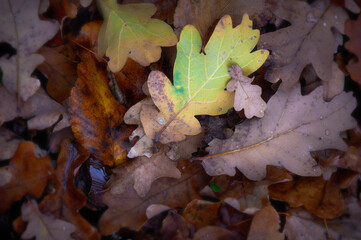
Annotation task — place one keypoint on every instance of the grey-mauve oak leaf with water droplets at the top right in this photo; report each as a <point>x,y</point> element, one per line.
<point>309,39</point>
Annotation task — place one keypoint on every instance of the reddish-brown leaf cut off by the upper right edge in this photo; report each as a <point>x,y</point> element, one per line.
<point>353,30</point>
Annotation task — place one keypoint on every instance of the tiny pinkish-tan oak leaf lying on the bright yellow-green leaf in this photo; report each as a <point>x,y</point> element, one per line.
<point>247,96</point>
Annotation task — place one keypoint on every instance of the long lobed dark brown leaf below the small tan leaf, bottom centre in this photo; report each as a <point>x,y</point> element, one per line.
<point>128,209</point>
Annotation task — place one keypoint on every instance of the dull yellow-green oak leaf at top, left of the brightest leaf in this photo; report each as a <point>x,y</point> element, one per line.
<point>129,31</point>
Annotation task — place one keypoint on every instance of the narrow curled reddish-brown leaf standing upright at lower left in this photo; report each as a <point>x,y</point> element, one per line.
<point>66,200</point>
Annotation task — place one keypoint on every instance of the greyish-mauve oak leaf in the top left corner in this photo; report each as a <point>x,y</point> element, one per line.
<point>25,32</point>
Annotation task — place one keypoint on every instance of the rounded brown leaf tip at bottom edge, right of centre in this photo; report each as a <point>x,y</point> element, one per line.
<point>265,223</point>
